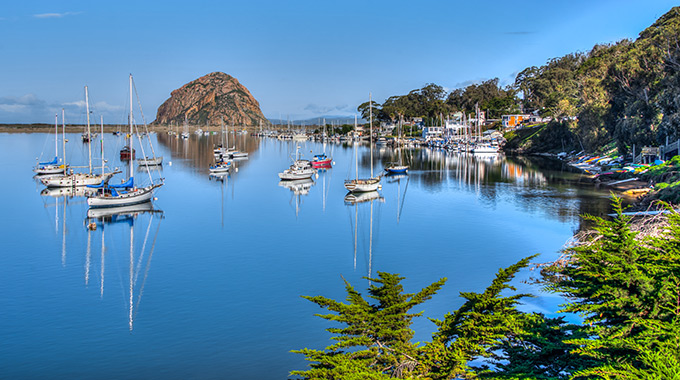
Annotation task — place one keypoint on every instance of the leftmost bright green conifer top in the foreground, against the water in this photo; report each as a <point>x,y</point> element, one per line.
<point>378,335</point>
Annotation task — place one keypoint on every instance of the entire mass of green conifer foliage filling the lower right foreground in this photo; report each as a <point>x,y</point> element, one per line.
<point>626,288</point>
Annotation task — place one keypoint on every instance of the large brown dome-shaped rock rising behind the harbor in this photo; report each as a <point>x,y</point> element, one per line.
<point>209,100</point>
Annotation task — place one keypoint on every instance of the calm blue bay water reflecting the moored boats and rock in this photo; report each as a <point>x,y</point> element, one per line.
<point>209,284</point>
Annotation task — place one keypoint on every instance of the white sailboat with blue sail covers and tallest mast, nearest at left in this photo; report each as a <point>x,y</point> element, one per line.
<point>126,193</point>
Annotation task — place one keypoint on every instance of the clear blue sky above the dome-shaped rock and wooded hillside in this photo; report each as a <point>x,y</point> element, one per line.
<point>299,59</point>
